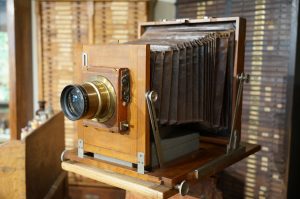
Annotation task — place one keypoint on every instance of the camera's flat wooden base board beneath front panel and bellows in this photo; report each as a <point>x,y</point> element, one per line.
<point>208,160</point>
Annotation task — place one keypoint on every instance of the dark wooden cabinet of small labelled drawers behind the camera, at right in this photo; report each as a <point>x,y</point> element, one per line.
<point>267,53</point>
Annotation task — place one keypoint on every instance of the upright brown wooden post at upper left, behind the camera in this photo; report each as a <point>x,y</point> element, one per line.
<point>20,62</point>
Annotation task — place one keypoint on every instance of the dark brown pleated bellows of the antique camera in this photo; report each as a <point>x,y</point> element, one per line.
<point>190,71</point>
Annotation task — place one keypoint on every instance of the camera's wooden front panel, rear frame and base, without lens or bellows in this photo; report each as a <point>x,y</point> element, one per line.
<point>129,145</point>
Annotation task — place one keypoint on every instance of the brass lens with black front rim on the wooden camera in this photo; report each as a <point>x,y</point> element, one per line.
<point>94,99</point>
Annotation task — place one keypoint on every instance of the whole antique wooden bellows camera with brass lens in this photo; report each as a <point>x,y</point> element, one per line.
<point>180,78</point>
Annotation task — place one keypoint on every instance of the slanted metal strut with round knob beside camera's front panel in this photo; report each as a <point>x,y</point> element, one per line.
<point>151,97</point>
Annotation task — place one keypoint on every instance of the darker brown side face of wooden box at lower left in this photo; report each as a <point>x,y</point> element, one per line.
<point>43,150</point>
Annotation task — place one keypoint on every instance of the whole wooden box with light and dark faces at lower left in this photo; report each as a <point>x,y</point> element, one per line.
<point>30,167</point>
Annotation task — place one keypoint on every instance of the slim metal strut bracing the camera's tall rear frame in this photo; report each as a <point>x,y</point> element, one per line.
<point>234,140</point>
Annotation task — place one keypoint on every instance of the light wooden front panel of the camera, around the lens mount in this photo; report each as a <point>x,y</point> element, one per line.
<point>104,141</point>
